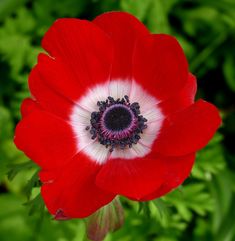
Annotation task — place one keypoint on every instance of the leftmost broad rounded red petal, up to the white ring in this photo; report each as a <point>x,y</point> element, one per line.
<point>45,139</point>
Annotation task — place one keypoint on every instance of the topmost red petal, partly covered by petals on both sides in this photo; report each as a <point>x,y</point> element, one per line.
<point>124,29</point>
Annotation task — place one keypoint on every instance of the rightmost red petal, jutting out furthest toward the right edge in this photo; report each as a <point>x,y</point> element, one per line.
<point>189,130</point>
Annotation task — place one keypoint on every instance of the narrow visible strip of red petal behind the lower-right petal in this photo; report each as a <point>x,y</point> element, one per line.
<point>178,170</point>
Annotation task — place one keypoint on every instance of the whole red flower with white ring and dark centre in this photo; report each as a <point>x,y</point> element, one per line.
<point>112,112</point>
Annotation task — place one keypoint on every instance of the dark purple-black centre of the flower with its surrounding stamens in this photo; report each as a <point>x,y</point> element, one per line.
<point>117,124</point>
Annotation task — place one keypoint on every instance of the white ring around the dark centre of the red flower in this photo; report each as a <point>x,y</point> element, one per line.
<point>81,114</point>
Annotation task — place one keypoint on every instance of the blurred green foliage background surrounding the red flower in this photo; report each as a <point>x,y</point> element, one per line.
<point>203,208</point>
